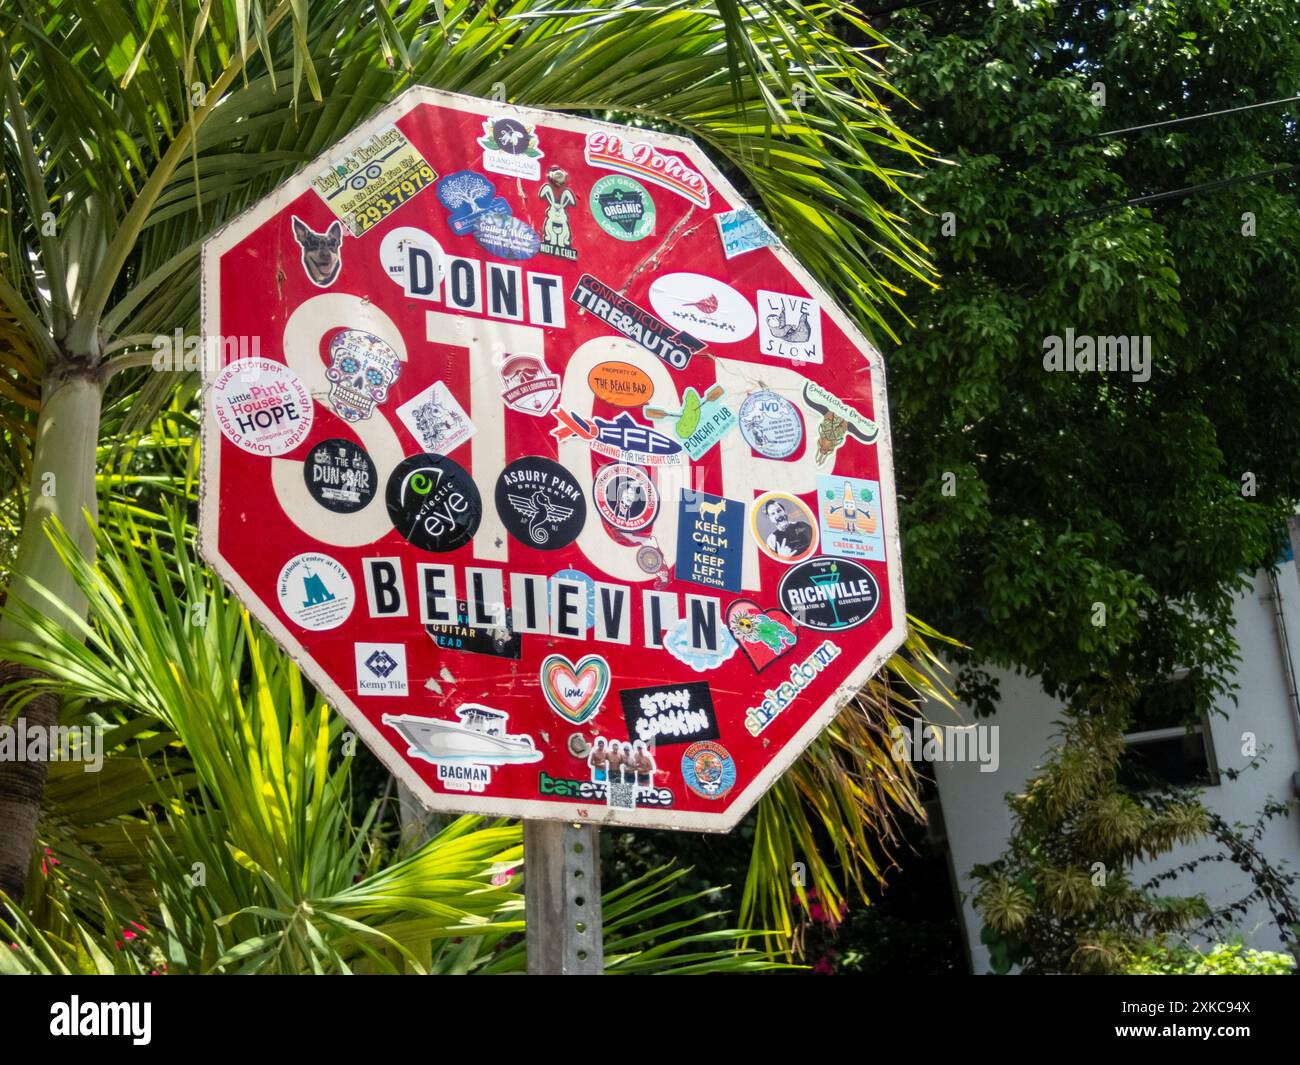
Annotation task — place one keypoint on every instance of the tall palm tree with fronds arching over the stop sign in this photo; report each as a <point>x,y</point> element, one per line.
<point>133,131</point>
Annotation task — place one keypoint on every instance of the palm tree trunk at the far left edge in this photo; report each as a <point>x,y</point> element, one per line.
<point>63,487</point>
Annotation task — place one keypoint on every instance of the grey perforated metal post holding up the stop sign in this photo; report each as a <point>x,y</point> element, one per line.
<point>562,899</point>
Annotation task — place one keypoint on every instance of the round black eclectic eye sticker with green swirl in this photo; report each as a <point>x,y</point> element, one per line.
<point>434,503</point>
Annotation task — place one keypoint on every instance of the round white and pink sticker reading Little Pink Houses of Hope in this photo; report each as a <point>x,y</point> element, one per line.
<point>262,406</point>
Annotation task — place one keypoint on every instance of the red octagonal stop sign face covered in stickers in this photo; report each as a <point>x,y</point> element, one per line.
<point>553,470</point>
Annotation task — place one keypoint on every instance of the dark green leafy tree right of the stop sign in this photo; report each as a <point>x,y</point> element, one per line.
<point>1072,525</point>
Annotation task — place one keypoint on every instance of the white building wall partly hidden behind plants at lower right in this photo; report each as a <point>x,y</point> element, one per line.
<point>978,821</point>
